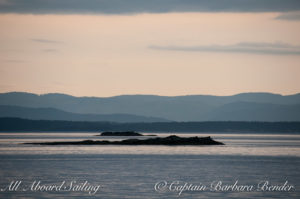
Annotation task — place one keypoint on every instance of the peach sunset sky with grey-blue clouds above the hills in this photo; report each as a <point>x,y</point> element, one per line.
<point>162,47</point>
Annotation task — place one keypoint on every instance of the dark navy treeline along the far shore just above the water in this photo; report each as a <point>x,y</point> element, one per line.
<point>23,125</point>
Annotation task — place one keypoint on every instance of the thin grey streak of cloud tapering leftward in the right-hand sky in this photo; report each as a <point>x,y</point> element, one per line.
<point>244,47</point>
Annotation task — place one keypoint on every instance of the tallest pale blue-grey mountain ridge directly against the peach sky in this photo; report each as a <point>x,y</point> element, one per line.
<point>244,106</point>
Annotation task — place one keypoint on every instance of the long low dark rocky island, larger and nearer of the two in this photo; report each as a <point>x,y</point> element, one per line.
<point>172,140</point>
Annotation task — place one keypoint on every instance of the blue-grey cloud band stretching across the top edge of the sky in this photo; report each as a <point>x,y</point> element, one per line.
<point>145,6</point>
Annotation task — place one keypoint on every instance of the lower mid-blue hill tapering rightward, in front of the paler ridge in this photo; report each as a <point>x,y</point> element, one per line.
<point>55,114</point>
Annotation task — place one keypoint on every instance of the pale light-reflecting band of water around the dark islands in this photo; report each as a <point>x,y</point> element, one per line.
<point>235,144</point>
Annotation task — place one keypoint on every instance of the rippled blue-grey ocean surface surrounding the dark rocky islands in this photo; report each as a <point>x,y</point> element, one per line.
<point>247,166</point>
